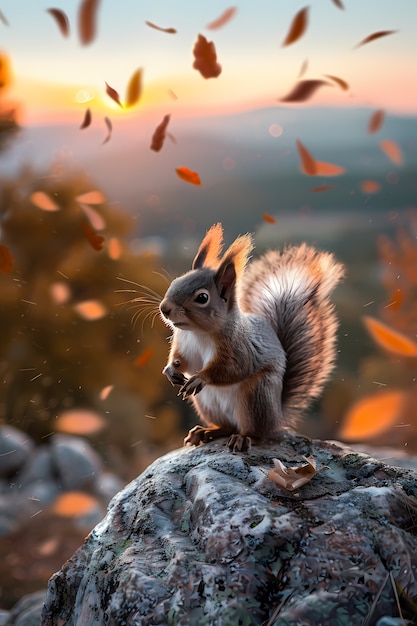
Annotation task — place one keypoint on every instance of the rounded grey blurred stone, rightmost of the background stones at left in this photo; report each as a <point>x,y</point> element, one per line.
<point>75,461</point>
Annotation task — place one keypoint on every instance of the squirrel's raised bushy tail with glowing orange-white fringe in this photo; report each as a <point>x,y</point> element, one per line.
<point>291,289</point>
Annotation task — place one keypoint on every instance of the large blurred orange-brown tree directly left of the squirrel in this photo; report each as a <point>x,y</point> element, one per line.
<point>64,334</point>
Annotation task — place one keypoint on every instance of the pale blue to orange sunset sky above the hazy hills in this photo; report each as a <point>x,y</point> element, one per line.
<point>56,78</point>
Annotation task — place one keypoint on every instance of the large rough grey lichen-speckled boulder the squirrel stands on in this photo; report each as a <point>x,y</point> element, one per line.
<point>204,537</point>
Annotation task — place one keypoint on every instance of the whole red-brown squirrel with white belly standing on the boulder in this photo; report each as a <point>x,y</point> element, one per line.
<point>253,343</point>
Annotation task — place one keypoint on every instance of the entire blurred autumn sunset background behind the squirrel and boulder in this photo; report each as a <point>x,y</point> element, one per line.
<point>92,217</point>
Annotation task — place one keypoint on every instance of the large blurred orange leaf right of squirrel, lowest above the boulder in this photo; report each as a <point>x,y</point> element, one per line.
<point>373,415</point>
